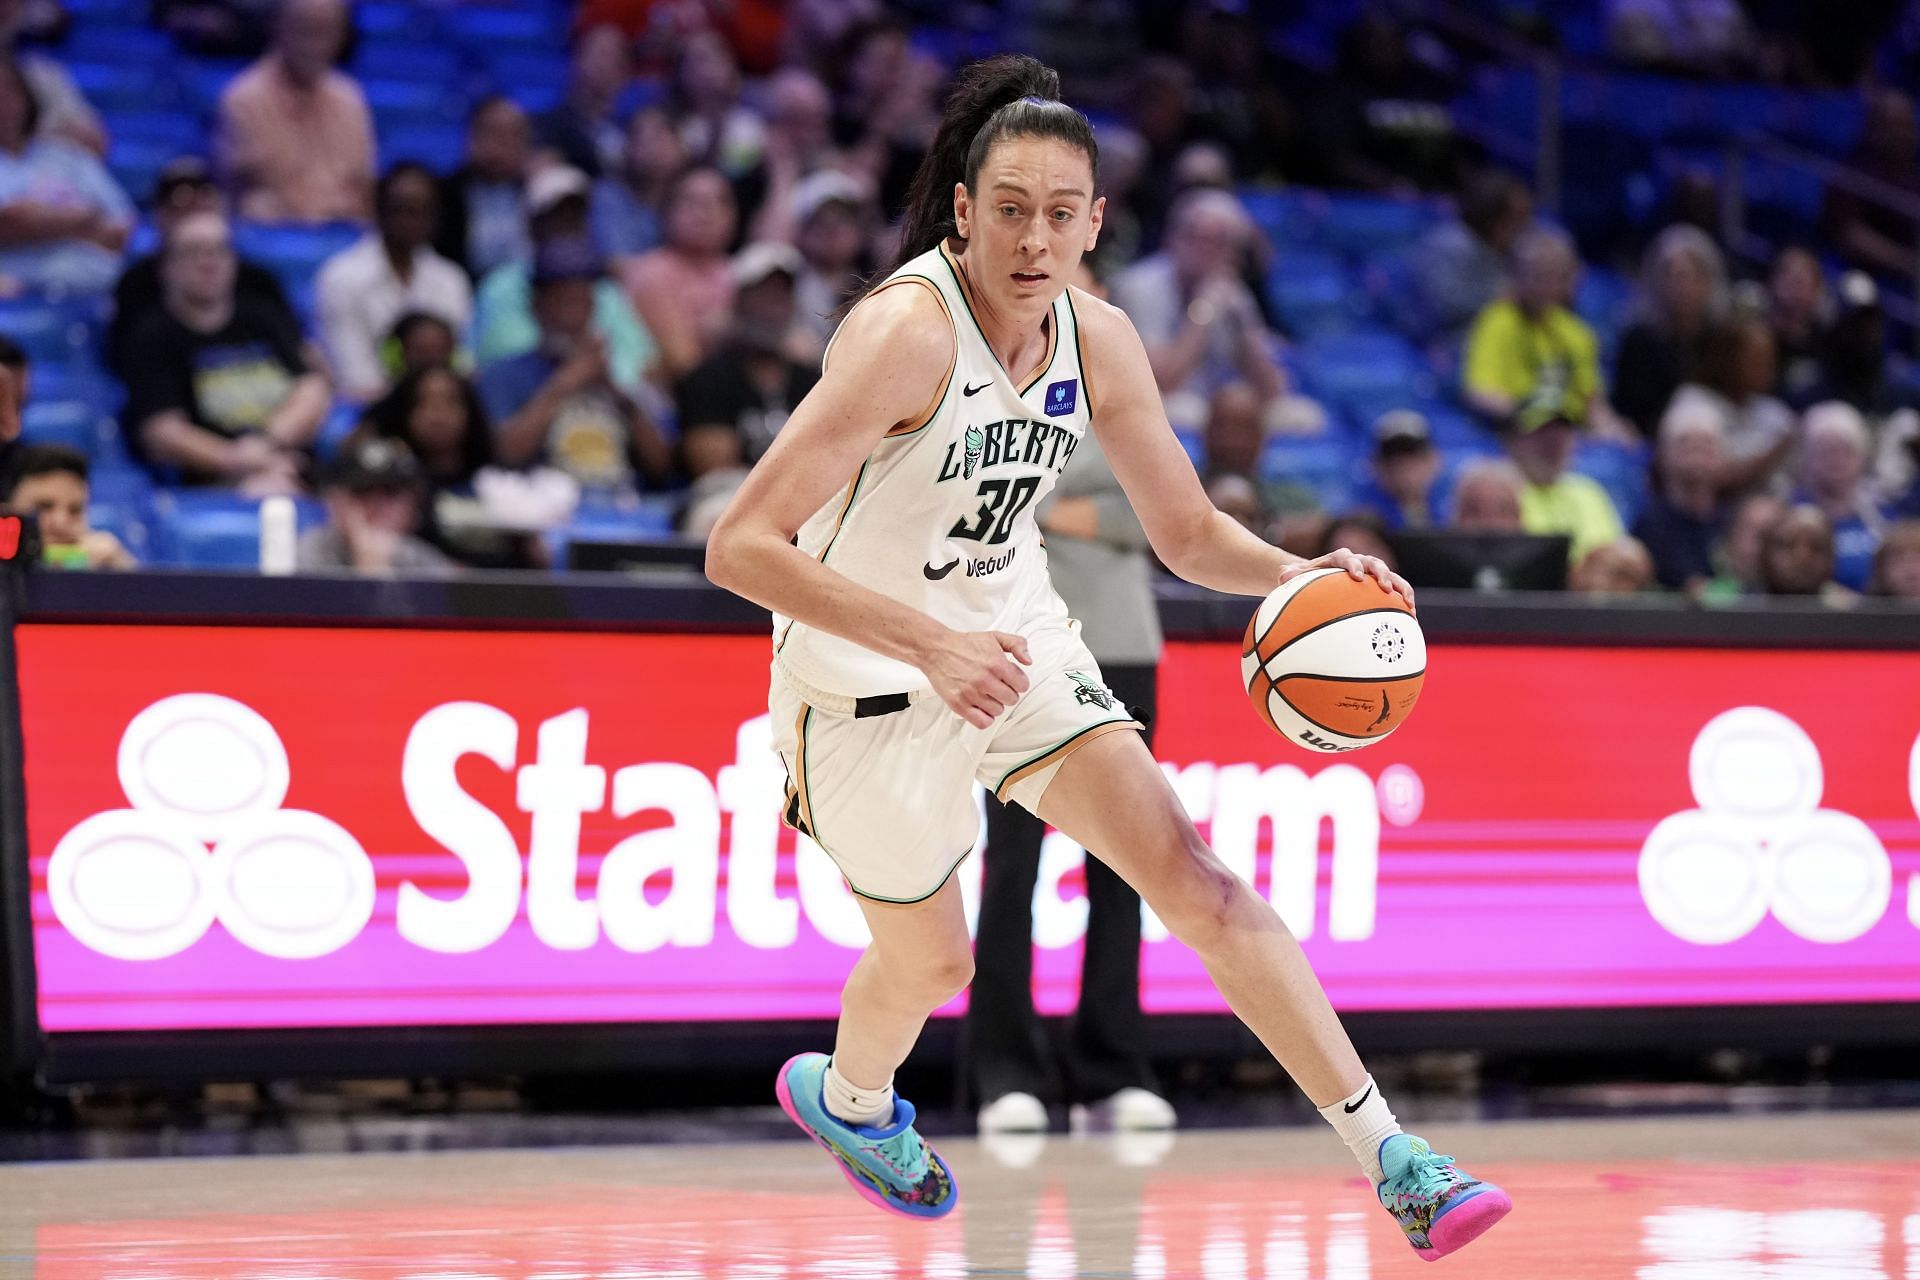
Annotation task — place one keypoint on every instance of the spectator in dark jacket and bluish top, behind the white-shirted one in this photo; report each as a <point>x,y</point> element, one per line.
<point>483,204</point>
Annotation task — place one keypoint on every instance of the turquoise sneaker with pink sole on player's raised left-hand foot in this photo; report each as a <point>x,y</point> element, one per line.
<point>892,1166</point>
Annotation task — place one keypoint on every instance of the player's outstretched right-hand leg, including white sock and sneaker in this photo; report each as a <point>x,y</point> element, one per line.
<point>1111,795</point>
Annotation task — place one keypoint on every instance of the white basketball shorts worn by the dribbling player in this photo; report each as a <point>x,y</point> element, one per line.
<point>890,794</point>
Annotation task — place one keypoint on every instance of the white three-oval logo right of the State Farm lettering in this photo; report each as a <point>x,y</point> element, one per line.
<point>1760,843</point>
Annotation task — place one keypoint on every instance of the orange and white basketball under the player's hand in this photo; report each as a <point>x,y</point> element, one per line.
<point>1333,663</point>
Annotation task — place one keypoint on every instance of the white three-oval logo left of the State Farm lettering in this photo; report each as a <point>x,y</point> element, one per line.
<point>208,841</point>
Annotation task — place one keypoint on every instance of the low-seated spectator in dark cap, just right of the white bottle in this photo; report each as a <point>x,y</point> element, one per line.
<point>373,515</point>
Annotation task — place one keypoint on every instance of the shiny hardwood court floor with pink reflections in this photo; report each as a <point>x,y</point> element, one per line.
<point>1769,1198</point>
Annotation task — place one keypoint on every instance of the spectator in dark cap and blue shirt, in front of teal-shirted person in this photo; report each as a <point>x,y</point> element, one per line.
<point>562,404</point>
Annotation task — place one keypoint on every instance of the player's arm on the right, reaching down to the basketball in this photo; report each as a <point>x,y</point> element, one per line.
<point>1188,533</point>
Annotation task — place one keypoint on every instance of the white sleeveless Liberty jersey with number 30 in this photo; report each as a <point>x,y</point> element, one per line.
<point>942,513</point>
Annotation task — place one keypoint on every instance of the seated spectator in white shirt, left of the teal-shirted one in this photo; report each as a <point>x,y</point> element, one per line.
<point>391,272</point>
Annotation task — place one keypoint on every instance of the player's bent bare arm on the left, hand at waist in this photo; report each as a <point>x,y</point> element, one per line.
<point>888,366</point>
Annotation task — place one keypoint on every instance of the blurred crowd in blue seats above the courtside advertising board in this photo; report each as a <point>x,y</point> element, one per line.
<point>479,281</point>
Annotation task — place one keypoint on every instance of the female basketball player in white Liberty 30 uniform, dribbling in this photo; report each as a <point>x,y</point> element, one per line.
<point>919,646</point>
